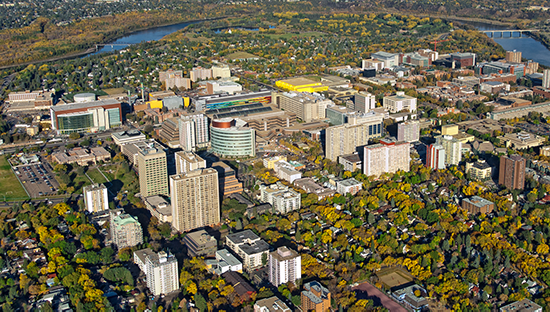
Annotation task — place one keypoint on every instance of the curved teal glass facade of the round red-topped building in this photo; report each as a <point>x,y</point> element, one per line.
<point>231,142</point>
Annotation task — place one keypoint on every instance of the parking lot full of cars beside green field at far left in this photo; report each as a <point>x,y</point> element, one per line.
<point>38,179</point>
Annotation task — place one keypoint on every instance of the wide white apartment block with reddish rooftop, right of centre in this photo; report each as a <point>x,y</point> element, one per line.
<point>386,157</point>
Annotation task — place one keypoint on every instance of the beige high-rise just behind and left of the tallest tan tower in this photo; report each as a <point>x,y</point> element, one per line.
<point>152,171</point>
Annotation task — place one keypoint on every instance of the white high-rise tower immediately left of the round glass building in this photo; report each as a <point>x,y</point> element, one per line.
<point>193,131</point>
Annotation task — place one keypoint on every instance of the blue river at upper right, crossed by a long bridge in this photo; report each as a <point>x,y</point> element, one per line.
<point>530,48</point>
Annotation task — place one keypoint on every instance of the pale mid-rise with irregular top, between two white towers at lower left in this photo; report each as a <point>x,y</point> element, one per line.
<point>125,229</point>
